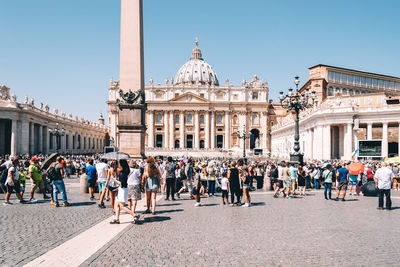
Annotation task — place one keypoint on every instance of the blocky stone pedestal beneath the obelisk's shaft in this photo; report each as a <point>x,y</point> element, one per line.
<point>131,130</point>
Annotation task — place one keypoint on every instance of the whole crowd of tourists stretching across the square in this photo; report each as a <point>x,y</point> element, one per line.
<point>122,182</point>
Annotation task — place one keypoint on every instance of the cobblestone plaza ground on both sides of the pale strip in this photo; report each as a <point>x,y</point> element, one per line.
<point>272,232</point>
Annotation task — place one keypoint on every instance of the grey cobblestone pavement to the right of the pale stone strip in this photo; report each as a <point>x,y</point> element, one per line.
<point>273,232</point>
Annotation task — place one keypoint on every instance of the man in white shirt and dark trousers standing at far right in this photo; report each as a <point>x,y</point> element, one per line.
<point>383,180</point>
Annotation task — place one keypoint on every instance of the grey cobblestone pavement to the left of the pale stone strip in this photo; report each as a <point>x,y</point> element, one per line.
<point>29,230</point>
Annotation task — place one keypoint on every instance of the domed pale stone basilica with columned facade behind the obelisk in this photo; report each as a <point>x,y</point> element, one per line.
<point>193,114</point>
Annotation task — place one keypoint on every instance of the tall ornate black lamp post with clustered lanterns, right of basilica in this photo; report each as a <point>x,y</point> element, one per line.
<point>294,101</point>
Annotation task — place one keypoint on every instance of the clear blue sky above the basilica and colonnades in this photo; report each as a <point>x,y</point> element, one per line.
<point>63,52</point>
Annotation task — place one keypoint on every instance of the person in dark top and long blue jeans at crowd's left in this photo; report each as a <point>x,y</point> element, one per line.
<point>55,172</point>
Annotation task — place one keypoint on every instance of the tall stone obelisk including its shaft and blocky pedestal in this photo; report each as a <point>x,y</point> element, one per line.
<point>131,117</point>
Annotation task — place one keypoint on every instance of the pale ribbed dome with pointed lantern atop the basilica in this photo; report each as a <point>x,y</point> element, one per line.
<point>196,71</point>
